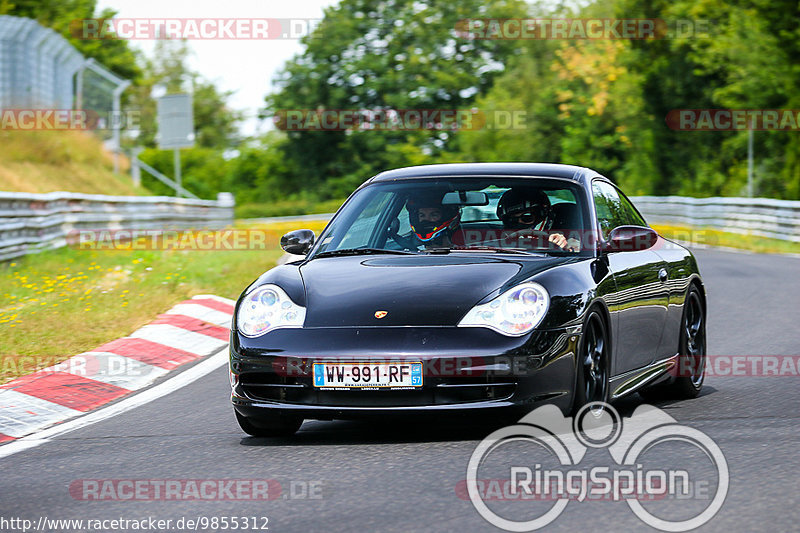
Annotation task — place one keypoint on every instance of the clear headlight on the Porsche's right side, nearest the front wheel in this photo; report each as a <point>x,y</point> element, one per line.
<point>515,312</point>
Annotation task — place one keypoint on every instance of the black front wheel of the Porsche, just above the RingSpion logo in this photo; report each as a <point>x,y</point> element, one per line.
<point>593,363</point>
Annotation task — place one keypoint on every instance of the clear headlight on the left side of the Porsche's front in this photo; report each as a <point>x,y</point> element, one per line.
<point>267,308</point>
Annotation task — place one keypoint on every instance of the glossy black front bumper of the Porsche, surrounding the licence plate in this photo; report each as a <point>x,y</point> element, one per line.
<point>464,370</point>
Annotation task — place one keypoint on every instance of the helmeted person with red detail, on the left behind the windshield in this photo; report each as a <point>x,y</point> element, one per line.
<point>432,222</point>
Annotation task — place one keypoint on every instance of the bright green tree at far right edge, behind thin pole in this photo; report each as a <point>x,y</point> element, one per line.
<point>753,56</point>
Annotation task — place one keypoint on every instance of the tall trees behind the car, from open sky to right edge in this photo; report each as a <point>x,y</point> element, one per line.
<point>600,103</point>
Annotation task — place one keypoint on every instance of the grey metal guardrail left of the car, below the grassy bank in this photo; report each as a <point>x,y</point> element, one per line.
<point>30,223</point>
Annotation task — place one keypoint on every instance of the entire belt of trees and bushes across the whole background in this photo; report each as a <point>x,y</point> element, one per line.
<point>600,103</point>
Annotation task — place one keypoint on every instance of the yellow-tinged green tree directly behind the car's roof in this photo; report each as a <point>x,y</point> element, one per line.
<point>581,104</point>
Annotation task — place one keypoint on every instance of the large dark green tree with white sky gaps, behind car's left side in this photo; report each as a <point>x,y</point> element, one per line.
<point>375,54</point>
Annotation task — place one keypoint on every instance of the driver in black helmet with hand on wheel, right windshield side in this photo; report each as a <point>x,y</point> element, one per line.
<point>528,211</point>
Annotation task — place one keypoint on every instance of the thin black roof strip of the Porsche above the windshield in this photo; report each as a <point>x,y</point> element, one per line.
<point>551,170</point>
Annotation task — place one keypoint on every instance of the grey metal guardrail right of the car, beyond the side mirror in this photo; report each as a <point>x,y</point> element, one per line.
<point>779,219</point>
